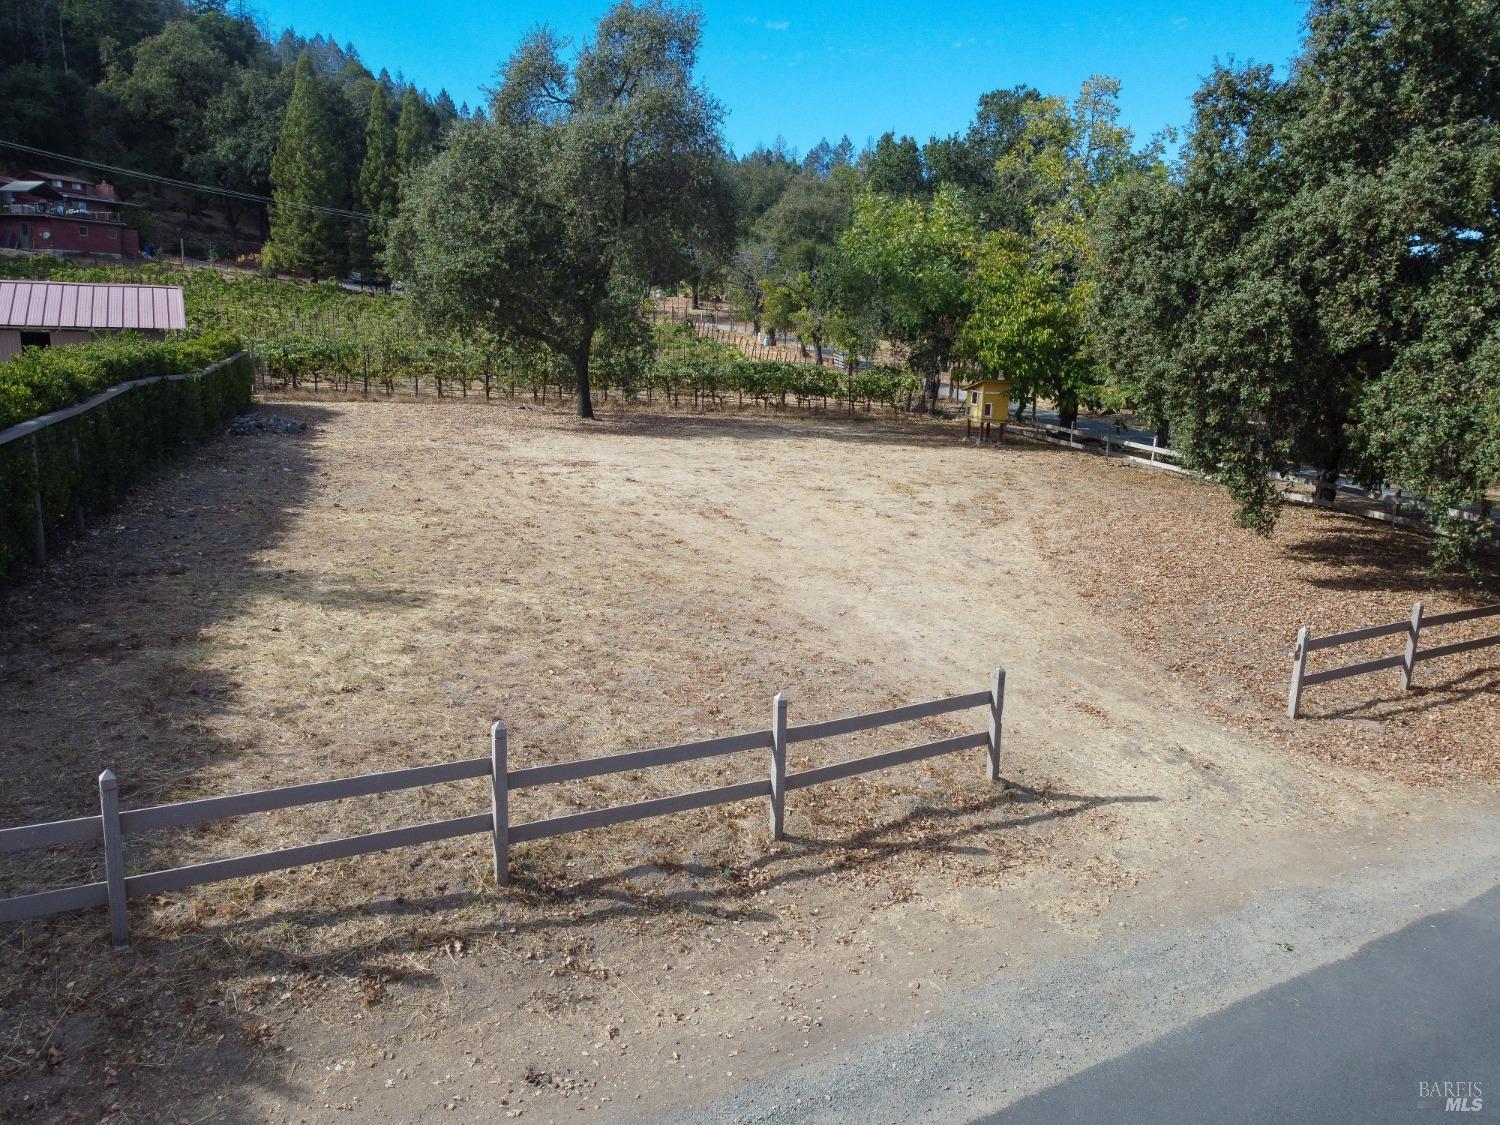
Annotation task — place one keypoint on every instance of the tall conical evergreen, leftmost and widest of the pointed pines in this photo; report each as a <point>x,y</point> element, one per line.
<point>307,172</point>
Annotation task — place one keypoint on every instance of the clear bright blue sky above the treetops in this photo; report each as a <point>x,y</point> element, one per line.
<point>826,70</point>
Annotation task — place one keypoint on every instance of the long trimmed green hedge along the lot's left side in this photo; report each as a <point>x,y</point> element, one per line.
<point>89,460</point>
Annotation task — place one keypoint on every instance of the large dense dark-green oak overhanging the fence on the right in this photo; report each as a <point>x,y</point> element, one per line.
<point>1315,284</point>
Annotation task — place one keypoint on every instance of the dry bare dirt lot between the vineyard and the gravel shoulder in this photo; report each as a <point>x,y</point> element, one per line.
<point>377,592</point>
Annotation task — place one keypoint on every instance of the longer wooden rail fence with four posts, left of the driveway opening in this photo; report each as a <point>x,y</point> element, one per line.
<point>112,826</point>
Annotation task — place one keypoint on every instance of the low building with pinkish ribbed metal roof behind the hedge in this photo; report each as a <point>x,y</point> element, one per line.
<point>56,314</point>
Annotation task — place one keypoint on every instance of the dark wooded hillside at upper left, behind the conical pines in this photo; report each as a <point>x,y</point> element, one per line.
<point>194,92</point>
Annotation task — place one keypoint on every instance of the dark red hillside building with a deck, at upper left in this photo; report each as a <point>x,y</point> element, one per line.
<point>64,214</point>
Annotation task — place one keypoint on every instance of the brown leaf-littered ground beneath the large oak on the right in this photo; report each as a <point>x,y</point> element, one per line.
<point>1219,607</point>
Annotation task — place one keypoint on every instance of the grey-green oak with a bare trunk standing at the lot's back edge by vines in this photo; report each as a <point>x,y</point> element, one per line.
<point>548,224</point>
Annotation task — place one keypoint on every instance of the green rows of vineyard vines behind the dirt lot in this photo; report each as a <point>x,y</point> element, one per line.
<point>322,337</point>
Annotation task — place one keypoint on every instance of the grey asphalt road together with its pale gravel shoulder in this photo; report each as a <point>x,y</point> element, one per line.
<point>1304,1003</point>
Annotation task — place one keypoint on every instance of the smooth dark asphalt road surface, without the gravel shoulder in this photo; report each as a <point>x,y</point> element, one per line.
<point>1352,1042</point>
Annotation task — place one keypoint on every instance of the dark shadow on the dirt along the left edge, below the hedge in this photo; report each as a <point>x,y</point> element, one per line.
<point>101,670</point>
